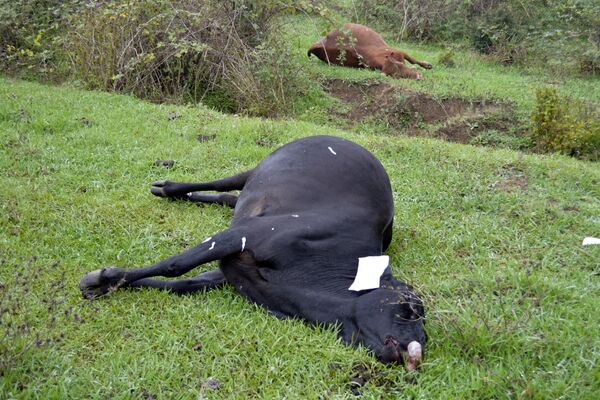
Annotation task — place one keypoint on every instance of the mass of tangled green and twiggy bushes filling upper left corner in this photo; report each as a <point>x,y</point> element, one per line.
<point>220,52</point>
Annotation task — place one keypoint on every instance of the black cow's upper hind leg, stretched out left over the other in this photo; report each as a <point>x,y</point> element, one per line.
<point>181,189</point>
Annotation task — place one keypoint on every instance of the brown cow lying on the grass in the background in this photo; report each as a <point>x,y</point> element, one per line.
<point>359,46</point>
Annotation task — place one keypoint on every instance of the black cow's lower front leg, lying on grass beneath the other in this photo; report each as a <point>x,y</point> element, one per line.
<point>205,281</point>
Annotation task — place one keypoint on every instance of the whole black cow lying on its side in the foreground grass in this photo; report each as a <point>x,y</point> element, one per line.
<point>303,217</point>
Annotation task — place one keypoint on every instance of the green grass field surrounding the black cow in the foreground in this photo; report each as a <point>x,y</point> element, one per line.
<point>491,238</point>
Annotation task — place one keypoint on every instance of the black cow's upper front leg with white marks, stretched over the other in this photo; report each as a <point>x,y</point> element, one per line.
<point>102,281</point>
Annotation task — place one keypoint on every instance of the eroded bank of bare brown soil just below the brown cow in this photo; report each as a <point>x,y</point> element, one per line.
<point>411,111</point>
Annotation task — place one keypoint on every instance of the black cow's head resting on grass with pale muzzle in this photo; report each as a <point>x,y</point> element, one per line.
<point>389,321</point>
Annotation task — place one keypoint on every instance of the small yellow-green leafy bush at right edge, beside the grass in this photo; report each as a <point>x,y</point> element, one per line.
<point>565,125</point>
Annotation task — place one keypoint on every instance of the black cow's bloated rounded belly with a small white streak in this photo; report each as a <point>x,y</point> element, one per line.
<point>318,172</point>
